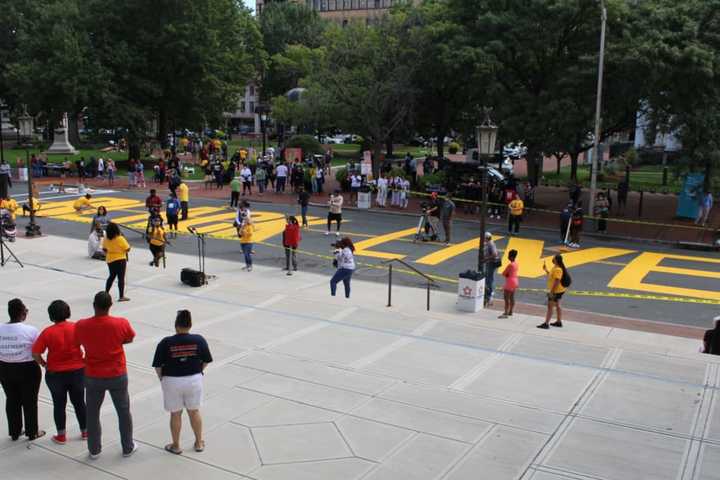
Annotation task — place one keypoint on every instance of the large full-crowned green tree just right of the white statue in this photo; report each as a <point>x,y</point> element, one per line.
<point>183,62</point>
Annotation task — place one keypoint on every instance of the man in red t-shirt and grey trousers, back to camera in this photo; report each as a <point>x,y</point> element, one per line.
<point>102,337</point>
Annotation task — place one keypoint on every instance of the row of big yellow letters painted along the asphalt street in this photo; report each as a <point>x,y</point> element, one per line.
<point>217,223</point>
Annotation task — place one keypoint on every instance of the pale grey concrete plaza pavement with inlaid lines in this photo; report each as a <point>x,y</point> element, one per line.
<point>306,386</point>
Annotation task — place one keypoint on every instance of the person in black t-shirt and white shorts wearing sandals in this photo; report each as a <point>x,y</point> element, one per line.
<point>179,362</point>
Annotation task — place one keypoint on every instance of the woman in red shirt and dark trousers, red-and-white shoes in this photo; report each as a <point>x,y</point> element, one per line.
<point>63,368</point>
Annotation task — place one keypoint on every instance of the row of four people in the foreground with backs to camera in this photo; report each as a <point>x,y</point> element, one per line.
<point>83,361</point>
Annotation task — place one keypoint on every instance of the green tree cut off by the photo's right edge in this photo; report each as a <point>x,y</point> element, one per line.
<point>681,57</point>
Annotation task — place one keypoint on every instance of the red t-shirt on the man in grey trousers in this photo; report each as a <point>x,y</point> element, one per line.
<point>103,339</point>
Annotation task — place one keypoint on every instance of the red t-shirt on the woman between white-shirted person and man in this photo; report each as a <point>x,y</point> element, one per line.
<point>59,341</point>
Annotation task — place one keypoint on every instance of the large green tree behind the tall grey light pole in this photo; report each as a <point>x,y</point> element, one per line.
<point>545,58</point>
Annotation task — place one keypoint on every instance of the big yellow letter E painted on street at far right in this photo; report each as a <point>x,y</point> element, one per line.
<point>631,277</point>
